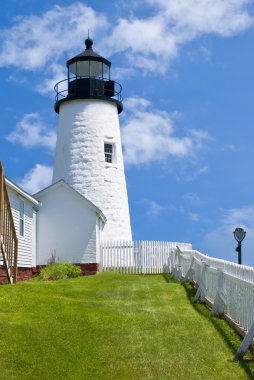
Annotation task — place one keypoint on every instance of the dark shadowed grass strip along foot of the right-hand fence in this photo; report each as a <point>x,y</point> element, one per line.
<point>226,331</point>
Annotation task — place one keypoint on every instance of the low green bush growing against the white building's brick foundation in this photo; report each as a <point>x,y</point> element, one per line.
<point>59,271</point>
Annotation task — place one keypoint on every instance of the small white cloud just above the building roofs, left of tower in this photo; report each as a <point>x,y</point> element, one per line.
<point>37,178</point>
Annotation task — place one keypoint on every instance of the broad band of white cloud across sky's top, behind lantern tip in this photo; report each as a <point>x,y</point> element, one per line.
<point>149,43</point>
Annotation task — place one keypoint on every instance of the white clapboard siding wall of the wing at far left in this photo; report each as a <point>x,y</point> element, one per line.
<point>26,248</point>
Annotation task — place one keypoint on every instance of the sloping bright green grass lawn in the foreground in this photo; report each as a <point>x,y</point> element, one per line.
<point>113,326</point>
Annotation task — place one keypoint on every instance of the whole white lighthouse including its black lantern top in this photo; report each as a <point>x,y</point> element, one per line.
<point>88,150</point>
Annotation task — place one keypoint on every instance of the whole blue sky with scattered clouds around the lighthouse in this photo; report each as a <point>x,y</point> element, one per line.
<point>186,68</point>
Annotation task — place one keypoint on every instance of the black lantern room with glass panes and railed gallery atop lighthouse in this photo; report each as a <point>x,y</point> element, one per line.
<point>88,78</point>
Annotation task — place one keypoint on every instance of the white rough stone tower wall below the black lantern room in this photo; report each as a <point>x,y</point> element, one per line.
<point>84,127</point>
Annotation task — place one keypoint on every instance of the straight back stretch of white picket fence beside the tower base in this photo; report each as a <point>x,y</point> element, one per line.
<point>138,257</point>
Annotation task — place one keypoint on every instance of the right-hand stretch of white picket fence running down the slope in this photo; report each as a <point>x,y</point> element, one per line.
<point>227,287</point>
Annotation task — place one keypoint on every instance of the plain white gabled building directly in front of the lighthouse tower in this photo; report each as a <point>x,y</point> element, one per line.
<point>70,227</point>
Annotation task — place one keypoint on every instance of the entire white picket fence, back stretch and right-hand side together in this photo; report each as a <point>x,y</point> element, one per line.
<point>227,287</point>
